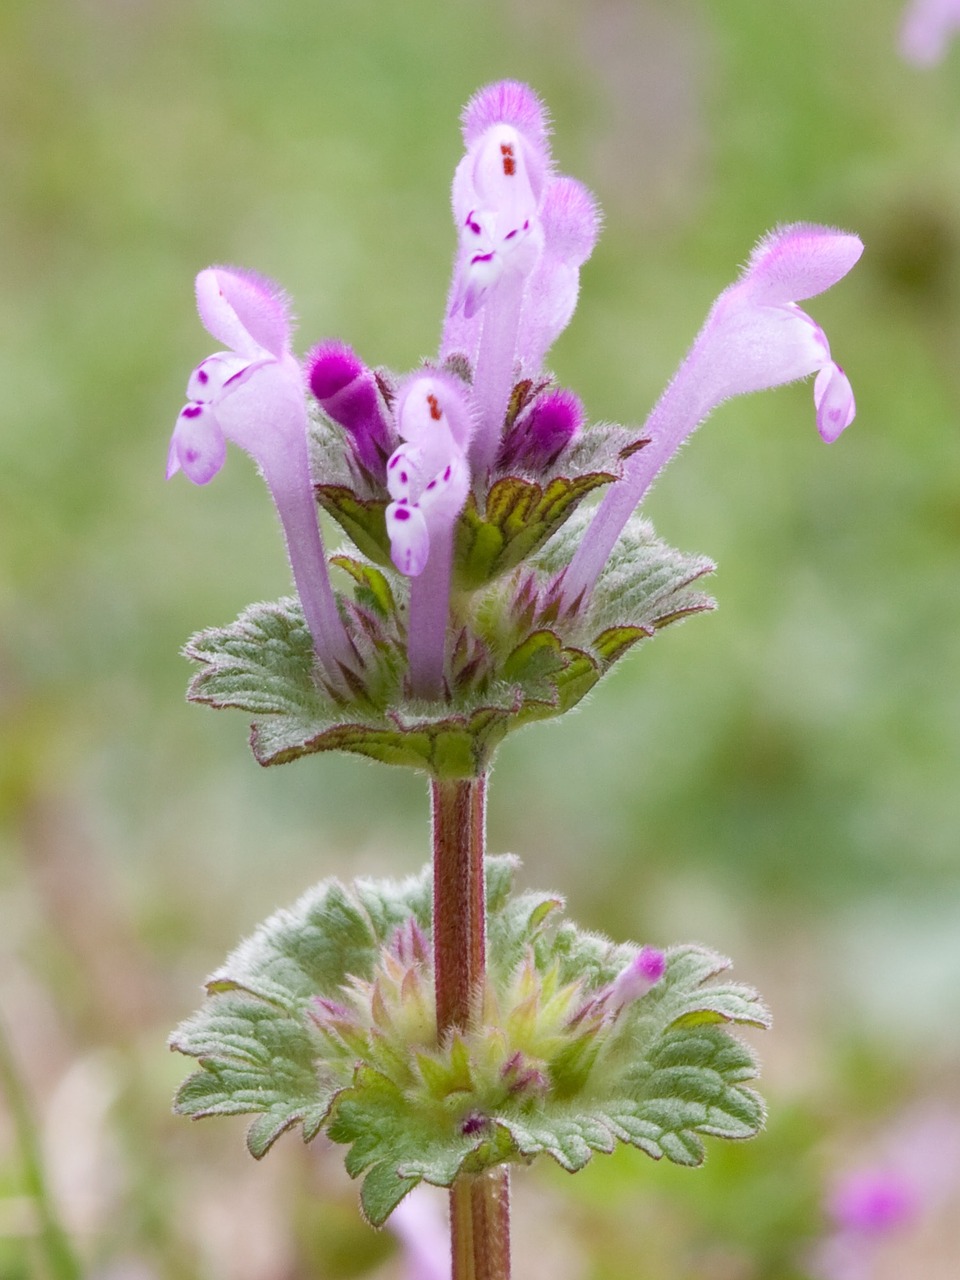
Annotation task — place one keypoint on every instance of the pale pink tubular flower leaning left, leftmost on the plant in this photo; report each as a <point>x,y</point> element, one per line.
<point>254,396</point>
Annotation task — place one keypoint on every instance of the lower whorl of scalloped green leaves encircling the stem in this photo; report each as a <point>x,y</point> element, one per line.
<point>664,1076</point>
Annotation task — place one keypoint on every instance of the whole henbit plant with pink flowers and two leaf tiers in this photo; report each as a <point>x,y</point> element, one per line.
<point>447,1027</point>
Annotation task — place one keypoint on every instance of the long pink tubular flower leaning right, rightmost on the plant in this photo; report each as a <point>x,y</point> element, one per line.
<point>756,337</point>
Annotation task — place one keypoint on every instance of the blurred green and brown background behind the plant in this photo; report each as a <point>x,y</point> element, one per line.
<point>778,780</point>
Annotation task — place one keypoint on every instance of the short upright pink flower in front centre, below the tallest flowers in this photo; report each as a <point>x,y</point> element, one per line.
<point>428,478</point>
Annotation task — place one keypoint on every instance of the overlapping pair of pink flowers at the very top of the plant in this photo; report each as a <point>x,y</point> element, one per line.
<point>524,236</point>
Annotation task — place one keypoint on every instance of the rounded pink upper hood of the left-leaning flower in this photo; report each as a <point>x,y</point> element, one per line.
<point>245,312</point>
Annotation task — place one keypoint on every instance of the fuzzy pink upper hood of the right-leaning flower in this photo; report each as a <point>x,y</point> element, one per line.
<point>799,262</point>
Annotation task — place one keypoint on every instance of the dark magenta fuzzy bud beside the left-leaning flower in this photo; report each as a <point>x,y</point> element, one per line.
<point>348,392</point>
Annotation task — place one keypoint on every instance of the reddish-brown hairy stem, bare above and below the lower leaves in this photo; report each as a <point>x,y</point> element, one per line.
<point>479,1205</point>
